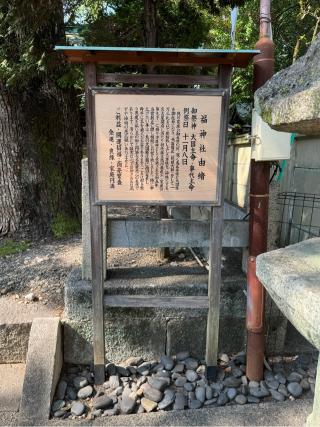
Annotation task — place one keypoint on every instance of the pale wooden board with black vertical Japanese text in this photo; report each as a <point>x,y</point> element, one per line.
<point>158,146</point>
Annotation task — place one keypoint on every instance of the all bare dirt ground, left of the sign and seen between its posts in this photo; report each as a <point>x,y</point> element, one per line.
<point>38,275</point>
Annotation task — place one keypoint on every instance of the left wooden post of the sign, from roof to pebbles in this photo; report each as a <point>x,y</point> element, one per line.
<point>97,253</point>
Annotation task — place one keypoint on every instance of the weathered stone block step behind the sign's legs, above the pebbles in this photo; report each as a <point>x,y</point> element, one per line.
<point>150,332</point>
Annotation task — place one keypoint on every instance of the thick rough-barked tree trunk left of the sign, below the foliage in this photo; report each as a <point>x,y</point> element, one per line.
<point>40,155</point>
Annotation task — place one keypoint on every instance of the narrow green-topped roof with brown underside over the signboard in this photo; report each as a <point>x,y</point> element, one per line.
<point>158,56</point>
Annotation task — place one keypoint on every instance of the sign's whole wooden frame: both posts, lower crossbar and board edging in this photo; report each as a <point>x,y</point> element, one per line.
<point>99,301</point>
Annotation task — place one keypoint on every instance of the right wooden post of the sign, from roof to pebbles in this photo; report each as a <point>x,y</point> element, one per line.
<point>216,230</point>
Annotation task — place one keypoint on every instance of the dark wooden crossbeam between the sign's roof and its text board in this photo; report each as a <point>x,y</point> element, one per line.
<point>164,79</point>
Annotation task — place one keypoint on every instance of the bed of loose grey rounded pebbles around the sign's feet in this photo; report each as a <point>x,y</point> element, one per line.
<point>177,383</point>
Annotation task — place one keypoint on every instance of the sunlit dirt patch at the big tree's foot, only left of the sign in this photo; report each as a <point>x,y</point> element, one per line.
<point>38,274</point>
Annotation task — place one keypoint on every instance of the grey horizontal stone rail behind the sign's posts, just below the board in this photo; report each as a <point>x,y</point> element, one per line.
<point>148,233</point>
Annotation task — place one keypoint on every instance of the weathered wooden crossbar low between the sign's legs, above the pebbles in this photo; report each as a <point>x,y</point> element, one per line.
<point>150,301</point>
